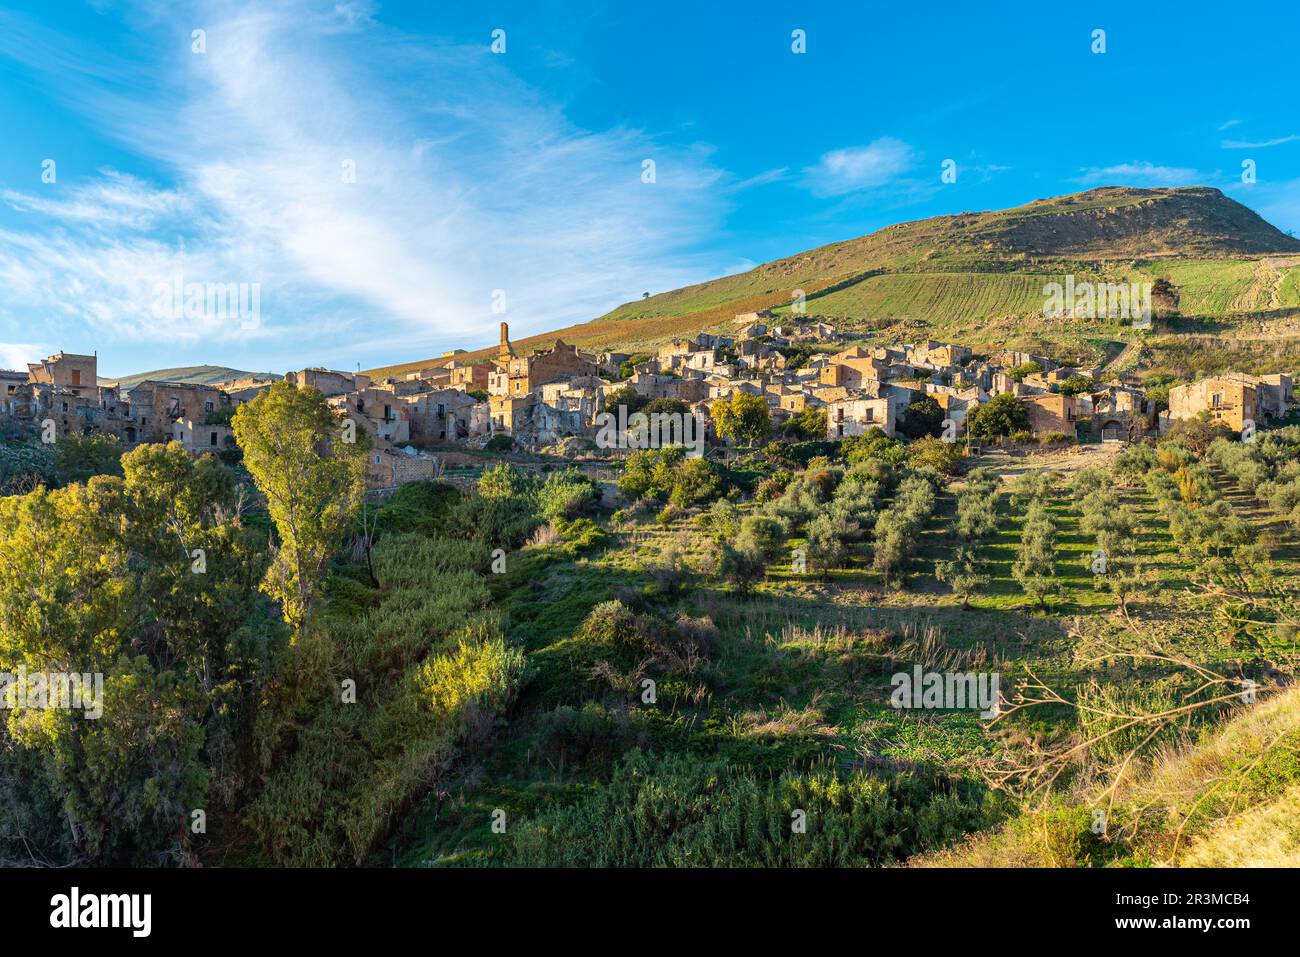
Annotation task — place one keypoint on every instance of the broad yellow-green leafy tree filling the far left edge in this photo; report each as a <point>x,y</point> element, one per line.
<point>103,579</point>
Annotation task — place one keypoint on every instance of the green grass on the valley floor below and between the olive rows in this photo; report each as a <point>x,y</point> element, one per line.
<point>800,681</point>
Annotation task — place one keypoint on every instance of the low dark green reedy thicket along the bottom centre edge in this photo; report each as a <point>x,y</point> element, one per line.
<point>683,811</point>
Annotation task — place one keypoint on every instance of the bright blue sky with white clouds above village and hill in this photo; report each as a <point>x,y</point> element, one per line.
<point>515,180</point>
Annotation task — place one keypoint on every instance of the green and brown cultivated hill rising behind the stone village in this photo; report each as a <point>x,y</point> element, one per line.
<point>980,278</point>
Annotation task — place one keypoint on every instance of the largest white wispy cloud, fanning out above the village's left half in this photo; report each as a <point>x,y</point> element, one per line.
<point>467,183</point>
